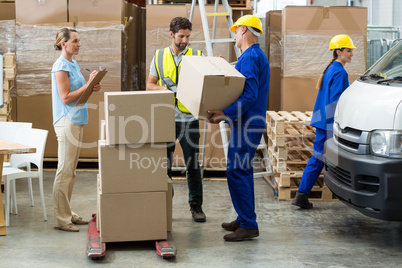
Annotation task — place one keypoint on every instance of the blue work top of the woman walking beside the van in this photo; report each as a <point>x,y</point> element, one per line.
<point>334,83</point>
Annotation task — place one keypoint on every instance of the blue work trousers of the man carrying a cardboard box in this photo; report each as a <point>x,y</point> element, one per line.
<point>243,143</point>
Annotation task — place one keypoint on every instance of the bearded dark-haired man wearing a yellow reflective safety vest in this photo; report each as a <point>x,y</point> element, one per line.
<point>164,70</point>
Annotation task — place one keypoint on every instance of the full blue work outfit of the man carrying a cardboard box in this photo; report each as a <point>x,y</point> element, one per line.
<point>247,121</point>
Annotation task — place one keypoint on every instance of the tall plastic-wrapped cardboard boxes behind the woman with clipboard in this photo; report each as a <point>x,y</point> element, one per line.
<point>98,23</point>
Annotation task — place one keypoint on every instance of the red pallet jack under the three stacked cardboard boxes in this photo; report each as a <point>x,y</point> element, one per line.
<point>96,249</point>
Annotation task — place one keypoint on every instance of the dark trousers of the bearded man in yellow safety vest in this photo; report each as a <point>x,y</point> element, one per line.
<point>188,134</point>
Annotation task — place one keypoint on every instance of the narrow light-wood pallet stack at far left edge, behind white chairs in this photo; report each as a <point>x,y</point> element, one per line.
<point>8,84</point>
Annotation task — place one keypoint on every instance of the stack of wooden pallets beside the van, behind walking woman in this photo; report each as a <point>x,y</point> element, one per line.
<point>290,143</point>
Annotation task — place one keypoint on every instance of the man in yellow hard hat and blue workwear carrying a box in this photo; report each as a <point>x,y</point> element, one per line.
<point>246,117</point>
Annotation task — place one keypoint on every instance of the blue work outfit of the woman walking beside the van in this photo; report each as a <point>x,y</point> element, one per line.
<point>335,81</point>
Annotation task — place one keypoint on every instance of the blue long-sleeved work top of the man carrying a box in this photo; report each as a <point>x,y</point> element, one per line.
<point>251,106</point>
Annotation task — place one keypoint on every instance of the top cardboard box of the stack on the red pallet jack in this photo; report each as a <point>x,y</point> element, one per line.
<point>139,117</point>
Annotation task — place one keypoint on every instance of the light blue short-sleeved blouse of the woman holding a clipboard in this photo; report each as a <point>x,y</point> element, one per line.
<point>77,115</point>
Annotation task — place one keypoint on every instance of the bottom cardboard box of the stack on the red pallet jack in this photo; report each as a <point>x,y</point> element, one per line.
<point>133,216</point>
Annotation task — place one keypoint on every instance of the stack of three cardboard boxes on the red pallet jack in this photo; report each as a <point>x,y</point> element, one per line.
<point>134,200</point>
